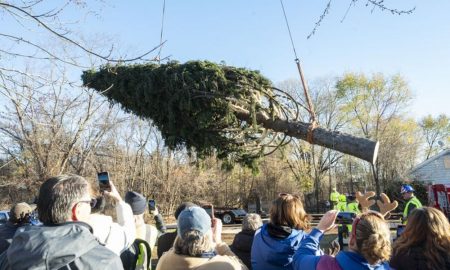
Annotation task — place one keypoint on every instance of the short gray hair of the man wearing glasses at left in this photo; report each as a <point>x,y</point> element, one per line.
<point>57,195</point>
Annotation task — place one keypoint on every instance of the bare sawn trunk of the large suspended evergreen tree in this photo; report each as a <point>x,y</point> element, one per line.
<point>358,147</point>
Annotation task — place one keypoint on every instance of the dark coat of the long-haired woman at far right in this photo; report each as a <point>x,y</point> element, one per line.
<point>413,259</point>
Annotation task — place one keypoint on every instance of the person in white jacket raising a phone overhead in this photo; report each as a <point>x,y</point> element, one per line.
<point>115,236</point>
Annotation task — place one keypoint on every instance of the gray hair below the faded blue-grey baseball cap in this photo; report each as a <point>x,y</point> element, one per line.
<point>193,243</point>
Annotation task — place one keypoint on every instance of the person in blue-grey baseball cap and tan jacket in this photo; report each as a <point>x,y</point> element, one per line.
<point>197,246</point>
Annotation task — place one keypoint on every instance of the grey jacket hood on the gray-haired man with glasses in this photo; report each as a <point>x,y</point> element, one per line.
<point>50,247</point>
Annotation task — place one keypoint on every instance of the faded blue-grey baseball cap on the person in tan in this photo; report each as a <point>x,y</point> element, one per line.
<point>193,218</point>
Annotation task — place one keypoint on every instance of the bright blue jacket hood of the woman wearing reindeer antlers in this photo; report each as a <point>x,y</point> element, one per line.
<point>354,261</point>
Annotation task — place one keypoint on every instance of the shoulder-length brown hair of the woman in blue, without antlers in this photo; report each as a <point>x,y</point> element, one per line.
<point>287,210</point>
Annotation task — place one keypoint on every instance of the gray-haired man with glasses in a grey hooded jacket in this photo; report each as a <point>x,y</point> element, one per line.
<point>65,241</point>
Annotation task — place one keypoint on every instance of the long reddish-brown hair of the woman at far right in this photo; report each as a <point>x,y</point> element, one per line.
<point>429,228</point>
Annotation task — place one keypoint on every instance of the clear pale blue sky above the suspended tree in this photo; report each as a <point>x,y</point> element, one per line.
<point>253,34</point>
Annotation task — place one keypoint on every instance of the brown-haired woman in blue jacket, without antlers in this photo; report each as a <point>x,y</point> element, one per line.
<point>275,243</point>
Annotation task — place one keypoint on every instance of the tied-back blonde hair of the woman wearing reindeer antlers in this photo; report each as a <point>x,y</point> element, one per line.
<point>373,237</point>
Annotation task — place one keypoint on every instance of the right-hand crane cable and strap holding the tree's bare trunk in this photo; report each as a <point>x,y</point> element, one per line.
<point>313,118</point>
